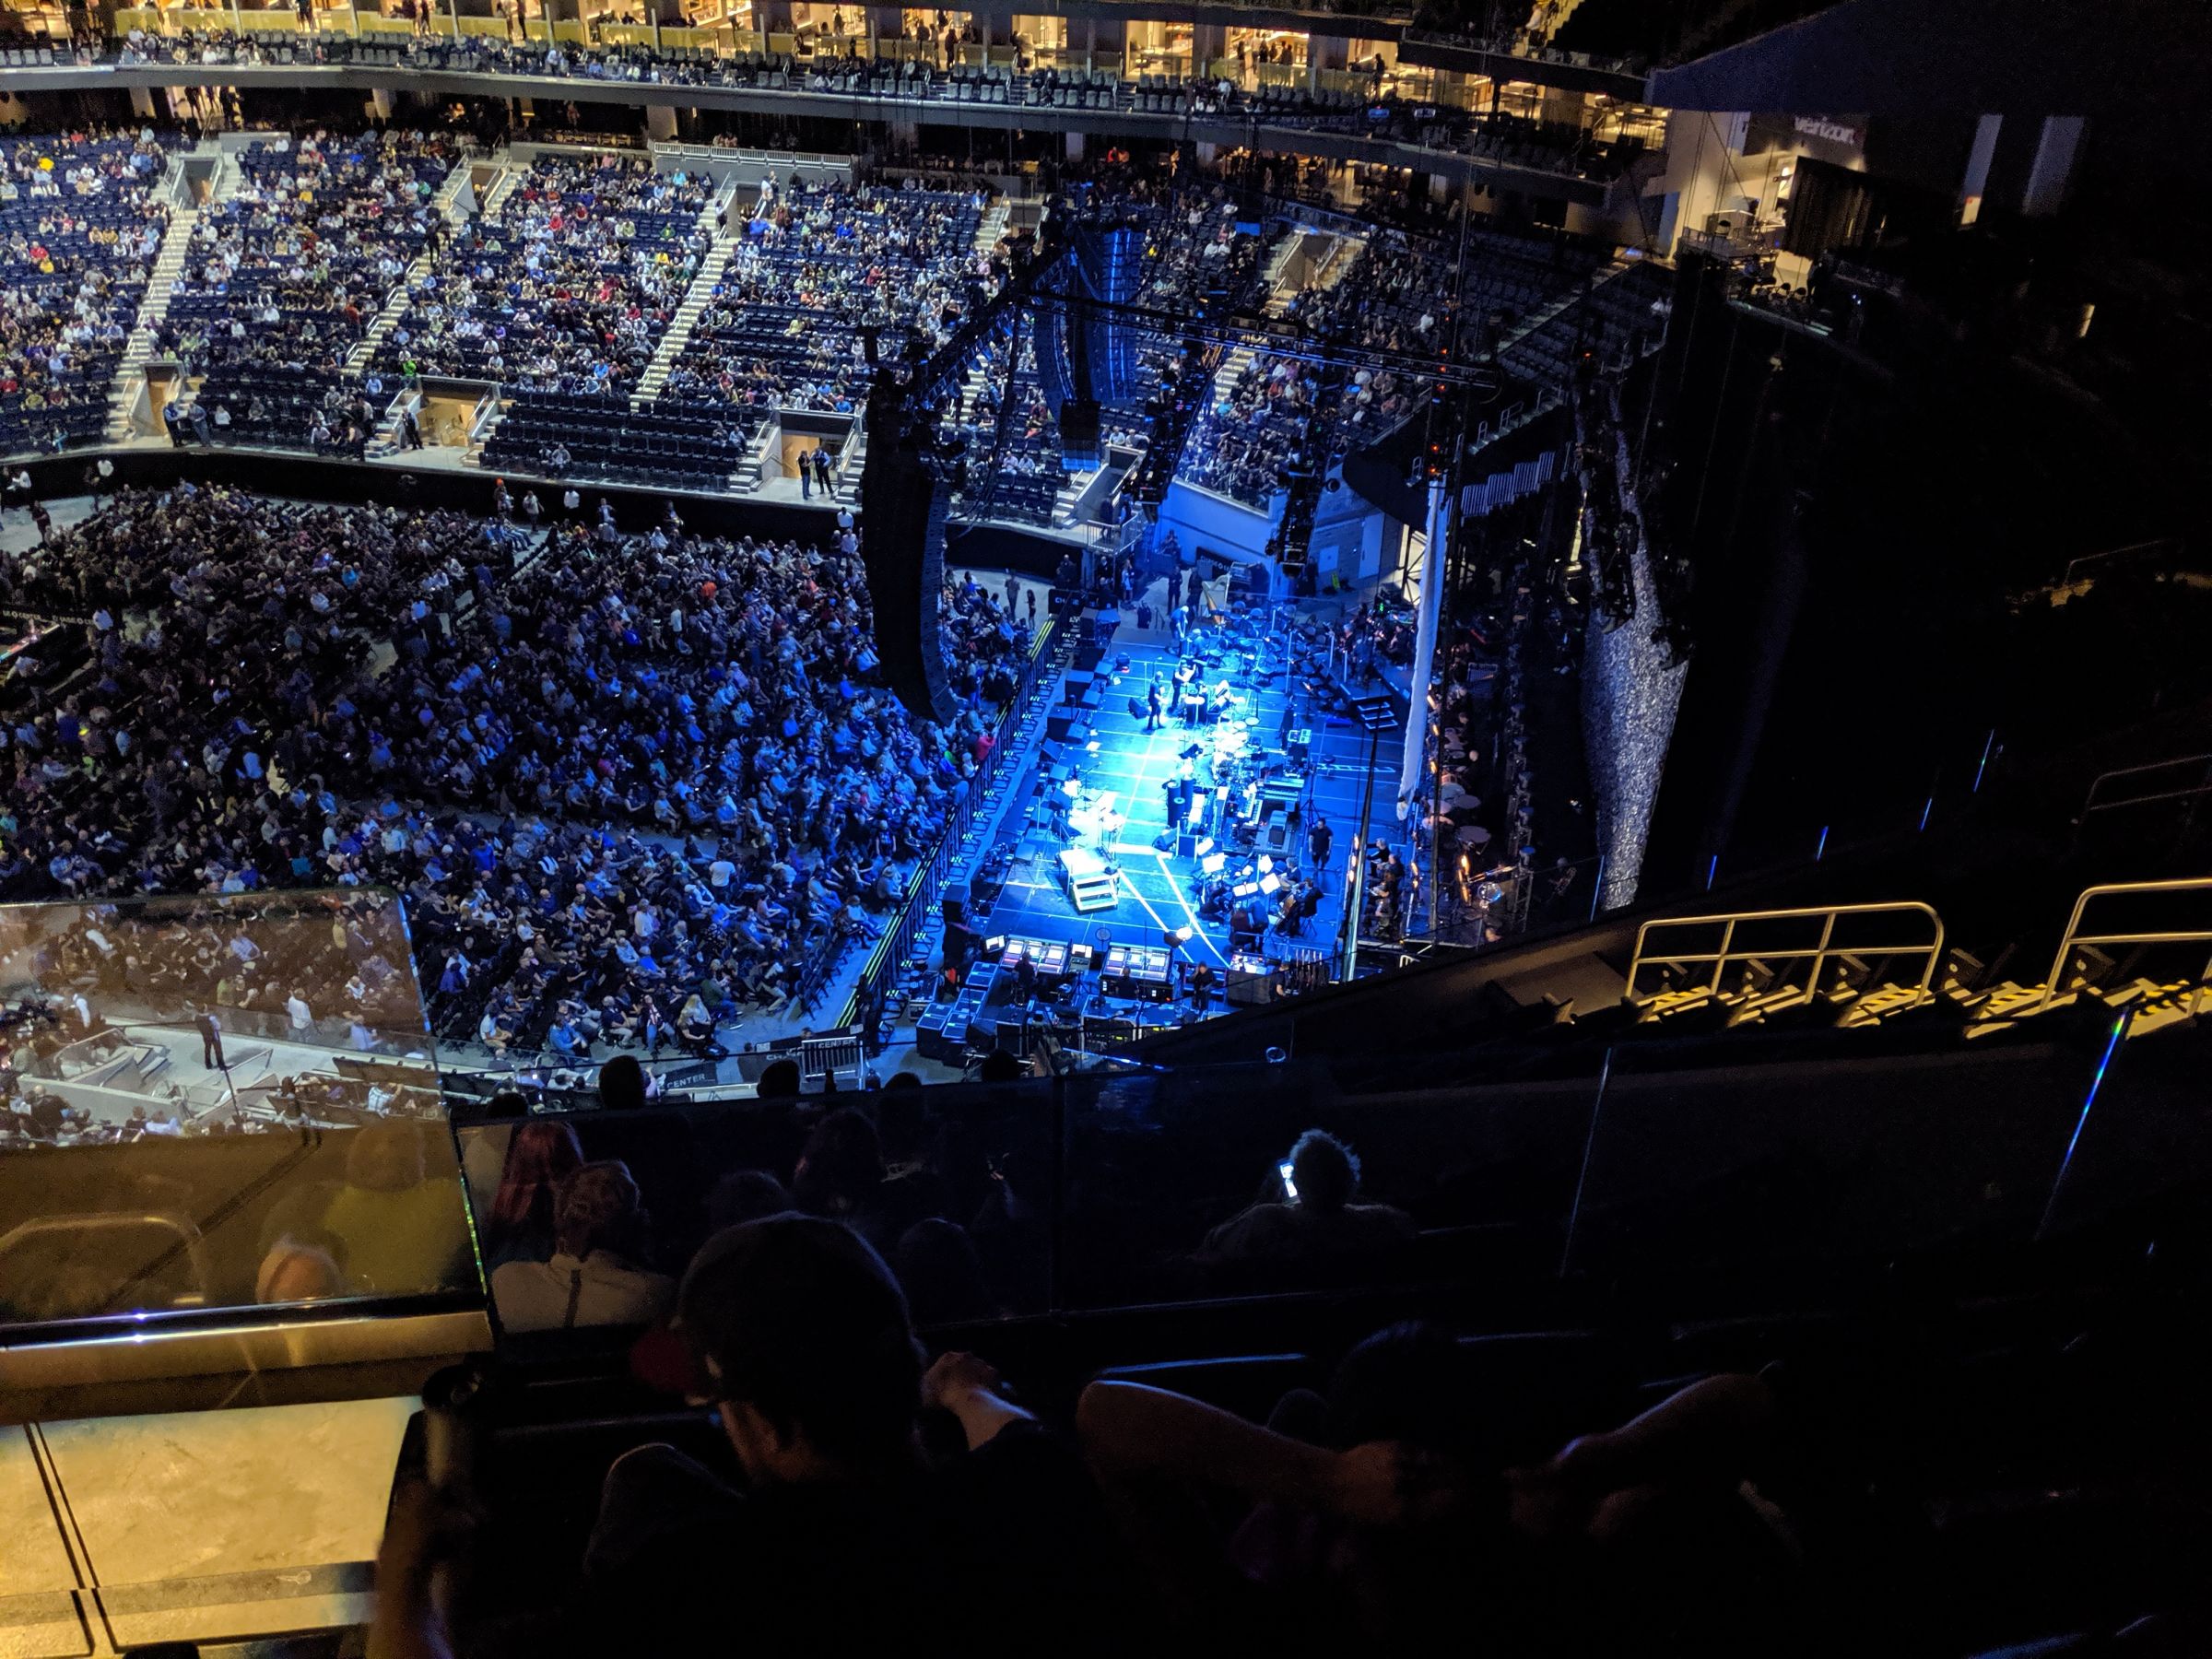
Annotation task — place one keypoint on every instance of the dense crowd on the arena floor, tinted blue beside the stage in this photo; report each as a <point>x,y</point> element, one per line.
<point>632,789</point>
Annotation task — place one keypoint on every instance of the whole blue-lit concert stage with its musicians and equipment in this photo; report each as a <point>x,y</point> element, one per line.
<point>1087,877</point>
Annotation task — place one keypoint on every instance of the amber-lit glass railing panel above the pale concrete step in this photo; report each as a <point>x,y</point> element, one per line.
<point>216,1105</point>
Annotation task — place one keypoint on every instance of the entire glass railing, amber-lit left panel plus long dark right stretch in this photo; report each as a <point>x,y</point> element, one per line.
<point>229,1105</point>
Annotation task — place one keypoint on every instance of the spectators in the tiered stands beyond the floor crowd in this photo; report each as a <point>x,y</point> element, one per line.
<point>570,280</point>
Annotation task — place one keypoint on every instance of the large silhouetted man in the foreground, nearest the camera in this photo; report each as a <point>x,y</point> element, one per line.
<point>839,1541</point>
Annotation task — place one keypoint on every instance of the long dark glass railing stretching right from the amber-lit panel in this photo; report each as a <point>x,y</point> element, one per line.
<point>1565,1162</point>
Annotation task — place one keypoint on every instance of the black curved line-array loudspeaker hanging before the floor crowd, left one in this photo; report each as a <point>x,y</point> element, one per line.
<point>904,552</point>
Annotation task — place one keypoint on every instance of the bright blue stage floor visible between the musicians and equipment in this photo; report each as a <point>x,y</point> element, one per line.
<point>1158,890</point>
